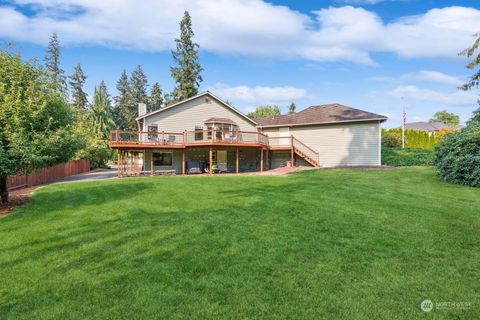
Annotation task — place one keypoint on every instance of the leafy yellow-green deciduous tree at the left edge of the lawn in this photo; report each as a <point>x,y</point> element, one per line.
<point>35,121</point>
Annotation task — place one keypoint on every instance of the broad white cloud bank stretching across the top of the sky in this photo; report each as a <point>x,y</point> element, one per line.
<point>245,27</point>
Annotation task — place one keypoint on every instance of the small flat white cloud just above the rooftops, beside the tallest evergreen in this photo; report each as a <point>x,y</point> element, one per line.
<point>258,95</point>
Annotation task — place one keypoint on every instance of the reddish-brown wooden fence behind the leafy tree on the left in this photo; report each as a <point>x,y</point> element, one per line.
<point>49,174</point>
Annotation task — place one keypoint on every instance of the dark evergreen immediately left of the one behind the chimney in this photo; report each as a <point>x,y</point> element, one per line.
<point>123,113</point>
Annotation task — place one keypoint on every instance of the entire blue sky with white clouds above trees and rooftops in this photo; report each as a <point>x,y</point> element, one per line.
<point>371,54</point>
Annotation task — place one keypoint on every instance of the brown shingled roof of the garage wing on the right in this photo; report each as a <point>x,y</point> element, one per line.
<point>321,114</point>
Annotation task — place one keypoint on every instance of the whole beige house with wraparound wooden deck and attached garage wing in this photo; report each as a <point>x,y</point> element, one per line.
<point>206,134</point>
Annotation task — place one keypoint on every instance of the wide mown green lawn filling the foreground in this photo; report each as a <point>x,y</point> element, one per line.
<point>365,244</point>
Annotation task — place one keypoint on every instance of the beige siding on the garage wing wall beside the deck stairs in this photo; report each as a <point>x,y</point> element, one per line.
<point>346,144</point>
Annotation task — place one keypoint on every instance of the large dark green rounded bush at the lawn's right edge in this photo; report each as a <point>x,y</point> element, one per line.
<point>457,156</point>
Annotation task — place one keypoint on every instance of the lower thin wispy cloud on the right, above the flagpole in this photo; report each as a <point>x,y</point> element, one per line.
<point>455,98</point>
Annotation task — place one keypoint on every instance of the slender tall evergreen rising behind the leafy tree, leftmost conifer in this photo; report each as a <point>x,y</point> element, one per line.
<point>55,74</point>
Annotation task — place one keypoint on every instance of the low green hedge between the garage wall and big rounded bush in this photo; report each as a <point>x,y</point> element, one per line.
<point>398,157</point>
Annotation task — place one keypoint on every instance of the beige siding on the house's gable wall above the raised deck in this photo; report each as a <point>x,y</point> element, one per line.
<point>194,113</point>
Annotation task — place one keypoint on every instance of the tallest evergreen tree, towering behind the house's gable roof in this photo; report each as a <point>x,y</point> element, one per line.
<point>187,73</point>
